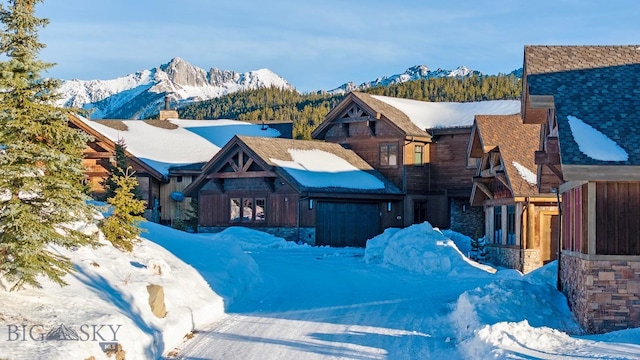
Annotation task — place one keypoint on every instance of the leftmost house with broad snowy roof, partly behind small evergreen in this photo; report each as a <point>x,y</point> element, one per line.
<point>166,155</point>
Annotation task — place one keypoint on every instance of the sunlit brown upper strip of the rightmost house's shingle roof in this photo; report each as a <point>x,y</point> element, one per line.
<point>547,59</point>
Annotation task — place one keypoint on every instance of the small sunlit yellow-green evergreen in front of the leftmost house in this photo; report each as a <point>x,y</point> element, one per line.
<point>121,227</point>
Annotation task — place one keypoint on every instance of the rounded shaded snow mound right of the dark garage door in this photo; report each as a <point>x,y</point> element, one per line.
<point>420,248</point>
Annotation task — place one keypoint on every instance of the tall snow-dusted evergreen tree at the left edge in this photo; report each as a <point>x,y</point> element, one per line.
<point>41,171</point>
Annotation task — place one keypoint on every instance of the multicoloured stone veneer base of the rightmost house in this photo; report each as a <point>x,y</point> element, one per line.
<point>603,295</point>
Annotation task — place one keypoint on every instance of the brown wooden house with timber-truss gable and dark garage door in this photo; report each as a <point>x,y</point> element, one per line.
<point>311,191</point>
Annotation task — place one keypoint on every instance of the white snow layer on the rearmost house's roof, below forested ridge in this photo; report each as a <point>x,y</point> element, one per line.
<point>432,115</point>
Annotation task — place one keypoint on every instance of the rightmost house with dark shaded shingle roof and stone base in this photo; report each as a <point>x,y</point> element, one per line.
<point>588,101</point>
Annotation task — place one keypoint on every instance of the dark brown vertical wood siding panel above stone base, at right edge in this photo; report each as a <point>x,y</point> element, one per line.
<point>618,218</point>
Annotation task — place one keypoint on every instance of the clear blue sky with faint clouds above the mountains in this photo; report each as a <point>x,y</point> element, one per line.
<point>320,44</point>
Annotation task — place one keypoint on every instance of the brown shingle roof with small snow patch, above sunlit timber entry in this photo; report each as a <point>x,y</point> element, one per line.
<point>517,143</point>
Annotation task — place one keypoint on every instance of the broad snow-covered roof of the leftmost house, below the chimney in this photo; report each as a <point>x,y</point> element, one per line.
<point>186,142</point>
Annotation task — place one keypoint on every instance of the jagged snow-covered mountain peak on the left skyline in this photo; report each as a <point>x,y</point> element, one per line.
<point>141,94</point>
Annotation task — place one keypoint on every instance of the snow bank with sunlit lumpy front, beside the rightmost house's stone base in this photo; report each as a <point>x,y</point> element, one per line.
<point>527,312</point>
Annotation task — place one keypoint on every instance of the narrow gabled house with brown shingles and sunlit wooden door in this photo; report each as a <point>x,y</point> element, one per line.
<point>521,223</point>
